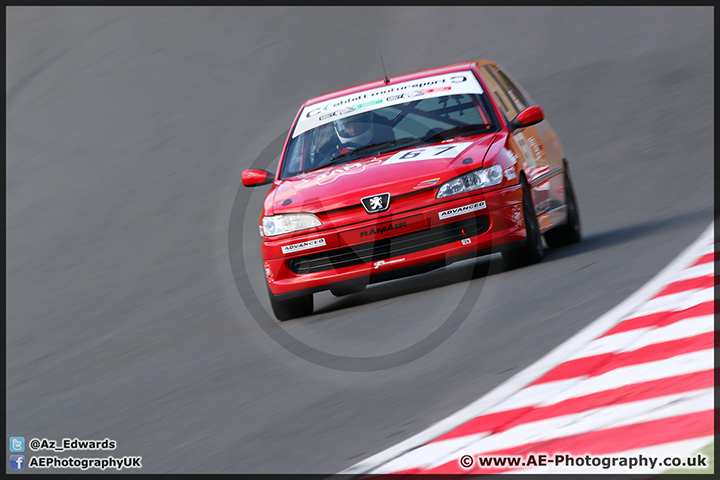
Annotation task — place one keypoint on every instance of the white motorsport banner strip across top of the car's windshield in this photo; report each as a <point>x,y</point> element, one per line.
<point>436,86</point>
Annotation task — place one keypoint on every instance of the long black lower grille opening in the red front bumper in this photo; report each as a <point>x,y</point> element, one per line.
<point>387,248</point>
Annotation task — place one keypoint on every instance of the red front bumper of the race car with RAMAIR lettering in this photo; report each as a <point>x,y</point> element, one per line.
<point>397,244</point>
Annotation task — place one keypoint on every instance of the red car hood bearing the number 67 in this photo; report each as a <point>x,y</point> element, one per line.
<point>399,172</point>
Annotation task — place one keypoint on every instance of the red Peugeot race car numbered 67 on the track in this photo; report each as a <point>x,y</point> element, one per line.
<point>404,175</point>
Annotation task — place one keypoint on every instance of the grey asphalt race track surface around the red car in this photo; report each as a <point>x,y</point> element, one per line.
<point>127,133</point>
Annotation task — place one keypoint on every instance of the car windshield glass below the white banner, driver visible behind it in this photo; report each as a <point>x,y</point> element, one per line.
<point>382,130</point>
